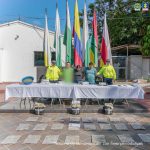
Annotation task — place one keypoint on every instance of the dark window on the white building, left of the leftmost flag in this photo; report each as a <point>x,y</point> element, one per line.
<point>38,58</point>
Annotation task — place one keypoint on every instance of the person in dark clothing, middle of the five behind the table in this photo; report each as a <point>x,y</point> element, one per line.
<point>78,74</point>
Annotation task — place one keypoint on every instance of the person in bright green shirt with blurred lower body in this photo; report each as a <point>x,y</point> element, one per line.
<point>68,73</point>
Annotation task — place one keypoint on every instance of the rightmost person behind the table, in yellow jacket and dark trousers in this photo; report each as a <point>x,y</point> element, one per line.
<point>108,73</point>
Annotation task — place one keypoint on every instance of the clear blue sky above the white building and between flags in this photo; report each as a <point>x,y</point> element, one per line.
<point>33,11</point>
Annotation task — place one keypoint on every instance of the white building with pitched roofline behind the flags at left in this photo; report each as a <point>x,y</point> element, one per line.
<point>19,43</point>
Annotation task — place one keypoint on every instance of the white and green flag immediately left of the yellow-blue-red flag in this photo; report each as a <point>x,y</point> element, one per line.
<point>68,36</point>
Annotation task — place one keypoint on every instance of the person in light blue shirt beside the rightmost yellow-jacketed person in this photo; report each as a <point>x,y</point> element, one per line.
<point>90,73</point>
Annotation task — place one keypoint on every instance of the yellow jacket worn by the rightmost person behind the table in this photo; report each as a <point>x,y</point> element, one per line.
<point>108,71</point>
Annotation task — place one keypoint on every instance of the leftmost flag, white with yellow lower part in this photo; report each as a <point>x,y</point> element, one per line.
<point>46,44</point>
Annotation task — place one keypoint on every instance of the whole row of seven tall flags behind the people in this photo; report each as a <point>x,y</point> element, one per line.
<point>85,48</point>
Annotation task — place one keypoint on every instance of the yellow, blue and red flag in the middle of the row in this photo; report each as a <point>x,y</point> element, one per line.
<point>77,38</point>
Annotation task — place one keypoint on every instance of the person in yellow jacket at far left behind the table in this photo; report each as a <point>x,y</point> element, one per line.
<point>53,72</point>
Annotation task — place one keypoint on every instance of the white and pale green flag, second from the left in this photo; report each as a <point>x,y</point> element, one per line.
<point>57,41</point>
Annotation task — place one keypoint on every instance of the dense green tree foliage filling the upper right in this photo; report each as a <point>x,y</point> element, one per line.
<point>125,25</point>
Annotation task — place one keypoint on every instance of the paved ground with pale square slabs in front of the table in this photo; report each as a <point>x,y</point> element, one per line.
<point>63,131</point>
